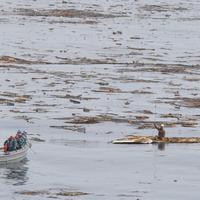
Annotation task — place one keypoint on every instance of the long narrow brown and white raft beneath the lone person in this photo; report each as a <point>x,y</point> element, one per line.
<point>155,139</point>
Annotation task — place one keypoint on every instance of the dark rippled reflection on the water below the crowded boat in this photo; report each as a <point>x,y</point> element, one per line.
<point>15,173</point>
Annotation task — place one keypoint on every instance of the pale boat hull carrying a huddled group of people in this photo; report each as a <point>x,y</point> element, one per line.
<point>14,156</point>
